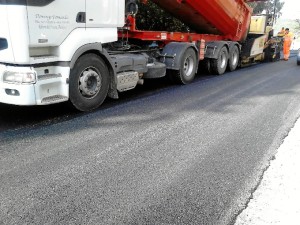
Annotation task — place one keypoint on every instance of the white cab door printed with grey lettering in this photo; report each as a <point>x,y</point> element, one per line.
<point>50,21</point>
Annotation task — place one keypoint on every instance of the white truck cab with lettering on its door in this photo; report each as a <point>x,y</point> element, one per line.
<point>42,40</point>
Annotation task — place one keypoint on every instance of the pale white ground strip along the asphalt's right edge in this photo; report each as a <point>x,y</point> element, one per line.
<point>276,200</point>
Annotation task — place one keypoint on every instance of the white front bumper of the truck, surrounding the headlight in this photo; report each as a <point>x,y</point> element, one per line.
<point>46,89</point>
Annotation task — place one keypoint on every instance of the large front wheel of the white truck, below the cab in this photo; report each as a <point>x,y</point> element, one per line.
<point>89,82</point>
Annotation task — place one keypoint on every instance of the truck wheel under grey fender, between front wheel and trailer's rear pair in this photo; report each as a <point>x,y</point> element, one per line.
<point>188,65</point>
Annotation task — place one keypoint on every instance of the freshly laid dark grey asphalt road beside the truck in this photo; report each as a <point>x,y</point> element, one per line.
<point>181,155</point>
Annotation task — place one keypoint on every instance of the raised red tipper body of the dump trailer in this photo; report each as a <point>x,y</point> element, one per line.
<point>229,18</point>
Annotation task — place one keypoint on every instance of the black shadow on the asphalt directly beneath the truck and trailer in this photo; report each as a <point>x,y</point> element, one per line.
<point>16,117</point>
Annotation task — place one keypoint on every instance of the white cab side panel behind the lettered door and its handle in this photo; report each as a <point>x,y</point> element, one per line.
<point>105,13</point>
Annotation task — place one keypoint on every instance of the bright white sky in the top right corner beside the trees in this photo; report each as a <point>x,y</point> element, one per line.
<point>291,9</point>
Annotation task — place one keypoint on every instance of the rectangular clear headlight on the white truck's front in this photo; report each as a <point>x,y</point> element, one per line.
<point>19,77</point>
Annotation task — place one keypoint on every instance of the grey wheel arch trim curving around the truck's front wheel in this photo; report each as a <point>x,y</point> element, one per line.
<point>99,50</point>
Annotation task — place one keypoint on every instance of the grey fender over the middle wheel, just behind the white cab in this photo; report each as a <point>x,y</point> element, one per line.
<point>172,54</point>
